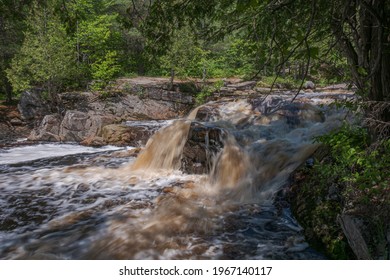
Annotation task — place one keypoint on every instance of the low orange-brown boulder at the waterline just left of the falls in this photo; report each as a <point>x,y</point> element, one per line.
<point>125,135</point>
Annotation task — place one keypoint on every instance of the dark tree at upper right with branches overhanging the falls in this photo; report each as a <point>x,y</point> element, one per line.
<point>359,28</point>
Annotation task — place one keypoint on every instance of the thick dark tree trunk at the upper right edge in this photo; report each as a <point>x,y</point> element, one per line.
<point>367,48</point>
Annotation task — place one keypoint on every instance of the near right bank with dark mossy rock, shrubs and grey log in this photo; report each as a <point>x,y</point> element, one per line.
<point>342,199</point>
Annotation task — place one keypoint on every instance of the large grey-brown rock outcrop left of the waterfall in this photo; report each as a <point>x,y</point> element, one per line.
<point>83,115</point>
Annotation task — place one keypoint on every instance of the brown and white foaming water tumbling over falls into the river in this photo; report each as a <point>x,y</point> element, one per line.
<point>101,206</point>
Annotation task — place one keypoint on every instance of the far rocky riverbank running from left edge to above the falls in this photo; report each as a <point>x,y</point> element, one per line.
<point>99,118</point>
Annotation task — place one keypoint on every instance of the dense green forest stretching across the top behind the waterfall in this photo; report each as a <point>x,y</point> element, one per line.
<point>58,45</point>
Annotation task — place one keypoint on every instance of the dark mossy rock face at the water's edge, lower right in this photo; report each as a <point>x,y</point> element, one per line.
<point>319,205</point>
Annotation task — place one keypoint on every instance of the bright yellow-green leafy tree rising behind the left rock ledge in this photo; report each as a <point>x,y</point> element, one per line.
<point>94,27</point>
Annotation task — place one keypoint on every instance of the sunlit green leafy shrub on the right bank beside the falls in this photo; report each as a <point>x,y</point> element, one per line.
<point>365,172</point>
